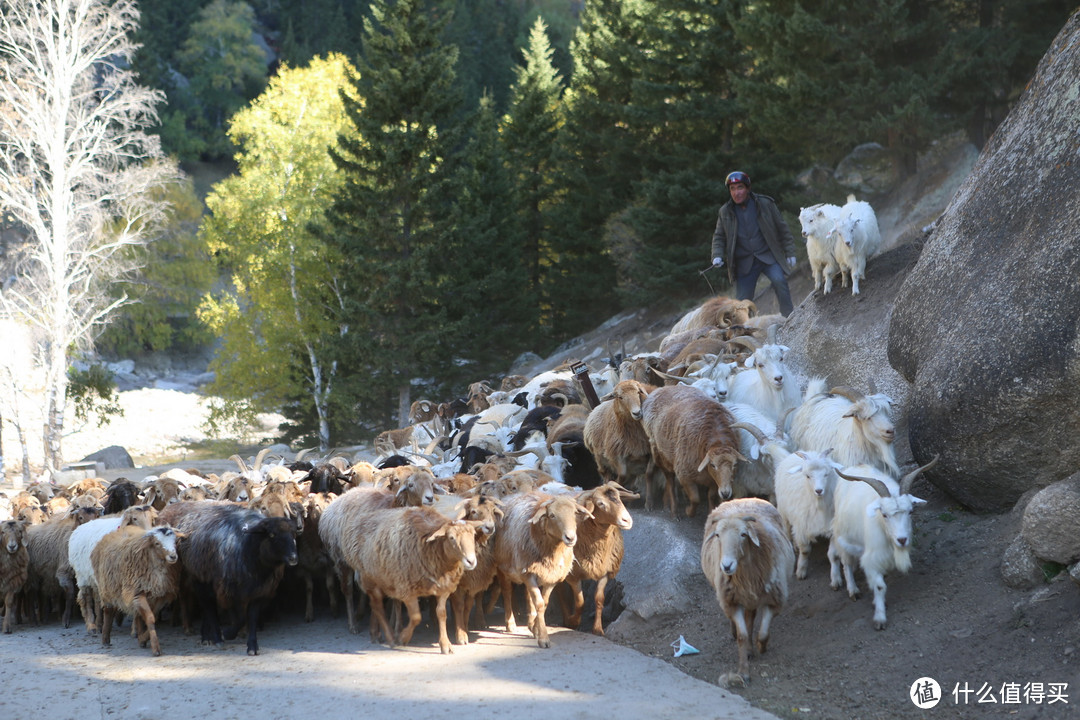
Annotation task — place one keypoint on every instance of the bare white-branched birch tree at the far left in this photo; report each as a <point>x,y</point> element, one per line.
<point>77,174</point>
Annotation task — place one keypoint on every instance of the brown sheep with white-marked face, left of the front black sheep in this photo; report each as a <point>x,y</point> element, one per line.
<point>138,575</point>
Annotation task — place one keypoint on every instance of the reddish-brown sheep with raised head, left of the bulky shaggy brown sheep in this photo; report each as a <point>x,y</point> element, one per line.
<point>615,436</point>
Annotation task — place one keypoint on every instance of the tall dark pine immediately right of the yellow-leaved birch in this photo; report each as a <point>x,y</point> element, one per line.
<point>390,220</point>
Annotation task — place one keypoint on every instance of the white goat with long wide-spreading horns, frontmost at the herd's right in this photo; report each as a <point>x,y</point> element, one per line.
<point>872,525</point>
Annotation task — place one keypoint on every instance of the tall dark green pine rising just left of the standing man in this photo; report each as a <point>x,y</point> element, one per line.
<point>684,102</point>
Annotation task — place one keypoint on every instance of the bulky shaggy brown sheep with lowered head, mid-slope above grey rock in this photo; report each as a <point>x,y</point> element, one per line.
<point>692,442</point>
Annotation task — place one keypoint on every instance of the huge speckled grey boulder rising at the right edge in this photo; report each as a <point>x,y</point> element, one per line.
<point>985,327</point>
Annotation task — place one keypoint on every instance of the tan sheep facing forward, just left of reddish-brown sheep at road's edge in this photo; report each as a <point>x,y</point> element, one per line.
<point>534,547</point>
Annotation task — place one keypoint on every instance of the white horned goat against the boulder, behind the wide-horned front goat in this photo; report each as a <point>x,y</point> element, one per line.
<point>858,428</point>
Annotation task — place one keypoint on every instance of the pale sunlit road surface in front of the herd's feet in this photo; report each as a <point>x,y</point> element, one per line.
<point>319,671</point>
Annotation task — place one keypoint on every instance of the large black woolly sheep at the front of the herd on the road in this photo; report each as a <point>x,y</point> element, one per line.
<point>235,558</point>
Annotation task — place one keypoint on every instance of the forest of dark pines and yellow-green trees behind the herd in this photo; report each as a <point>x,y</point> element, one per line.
<point>393,199</point>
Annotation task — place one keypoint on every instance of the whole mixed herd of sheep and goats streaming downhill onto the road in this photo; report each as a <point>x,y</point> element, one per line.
<point>525,485</point>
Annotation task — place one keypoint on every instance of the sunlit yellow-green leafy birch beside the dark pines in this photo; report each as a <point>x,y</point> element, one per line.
<point>286,282</point>
